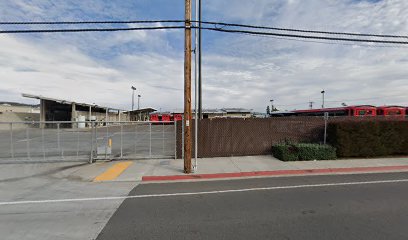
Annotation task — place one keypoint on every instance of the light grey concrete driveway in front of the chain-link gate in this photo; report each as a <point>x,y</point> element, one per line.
<point>55,220</point>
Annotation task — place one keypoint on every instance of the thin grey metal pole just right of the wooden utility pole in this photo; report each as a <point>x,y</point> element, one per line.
<point>196,90</point>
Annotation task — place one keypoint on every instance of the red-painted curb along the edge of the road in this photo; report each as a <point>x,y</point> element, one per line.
<point>272,173</point>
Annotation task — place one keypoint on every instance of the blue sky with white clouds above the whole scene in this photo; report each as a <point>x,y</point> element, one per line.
<point>238,70</point>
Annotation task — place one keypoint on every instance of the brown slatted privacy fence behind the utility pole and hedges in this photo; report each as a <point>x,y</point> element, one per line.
<point>241,137</point>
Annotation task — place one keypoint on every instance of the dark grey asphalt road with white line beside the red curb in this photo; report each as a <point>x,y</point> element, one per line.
<point>314,207</point>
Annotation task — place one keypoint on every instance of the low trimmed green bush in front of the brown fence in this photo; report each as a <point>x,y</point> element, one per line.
<point>303,152</point>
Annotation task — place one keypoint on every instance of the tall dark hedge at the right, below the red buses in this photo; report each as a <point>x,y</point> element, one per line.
<point>369,138</point>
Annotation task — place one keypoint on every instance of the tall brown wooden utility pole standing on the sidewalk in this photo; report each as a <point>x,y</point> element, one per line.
<point>187,89</point>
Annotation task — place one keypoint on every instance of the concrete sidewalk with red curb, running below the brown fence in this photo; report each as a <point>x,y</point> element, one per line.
<point>244,166</point>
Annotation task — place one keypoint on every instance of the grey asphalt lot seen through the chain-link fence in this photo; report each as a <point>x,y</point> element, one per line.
<point>50,144</point>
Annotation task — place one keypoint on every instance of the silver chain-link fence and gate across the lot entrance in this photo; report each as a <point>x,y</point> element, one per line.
<point>85,141</point>
